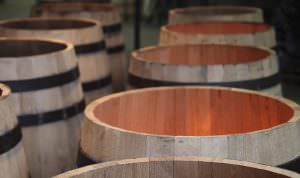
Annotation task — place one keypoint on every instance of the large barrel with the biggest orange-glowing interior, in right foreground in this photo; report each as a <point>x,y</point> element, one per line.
<point>192,121</point>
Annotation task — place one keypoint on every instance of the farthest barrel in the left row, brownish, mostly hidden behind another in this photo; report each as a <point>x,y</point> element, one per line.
<point>109,17</point>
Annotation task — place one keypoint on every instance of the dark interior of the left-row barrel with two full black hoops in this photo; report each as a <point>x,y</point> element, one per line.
<point>21,48</point>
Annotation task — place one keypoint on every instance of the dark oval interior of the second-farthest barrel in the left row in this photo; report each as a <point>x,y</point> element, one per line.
<point>48,24</point>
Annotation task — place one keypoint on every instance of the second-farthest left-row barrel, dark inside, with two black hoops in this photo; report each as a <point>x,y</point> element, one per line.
<point>85,35</point>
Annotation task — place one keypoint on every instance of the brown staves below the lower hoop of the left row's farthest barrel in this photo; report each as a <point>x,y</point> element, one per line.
<point>119,66</point>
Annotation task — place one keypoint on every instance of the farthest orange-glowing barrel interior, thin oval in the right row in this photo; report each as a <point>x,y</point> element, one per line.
<point>214,28</point>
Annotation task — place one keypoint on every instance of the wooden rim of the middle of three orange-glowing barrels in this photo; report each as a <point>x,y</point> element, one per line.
<point>135,54</point>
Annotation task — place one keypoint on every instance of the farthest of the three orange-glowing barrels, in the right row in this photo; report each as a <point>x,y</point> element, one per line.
<point>237,33</point>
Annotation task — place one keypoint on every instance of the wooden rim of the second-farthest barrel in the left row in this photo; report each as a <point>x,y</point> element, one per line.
<point>91,23</point>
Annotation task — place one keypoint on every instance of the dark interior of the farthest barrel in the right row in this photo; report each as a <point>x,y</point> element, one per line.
<point>206,11</point>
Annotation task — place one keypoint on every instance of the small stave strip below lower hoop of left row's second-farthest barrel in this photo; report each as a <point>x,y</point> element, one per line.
<point>93,95</point>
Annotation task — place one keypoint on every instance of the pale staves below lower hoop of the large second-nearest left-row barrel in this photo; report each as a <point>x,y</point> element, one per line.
<point>52,148</point>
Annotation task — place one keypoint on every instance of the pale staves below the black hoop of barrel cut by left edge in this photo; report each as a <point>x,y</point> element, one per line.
<point>13,163</point>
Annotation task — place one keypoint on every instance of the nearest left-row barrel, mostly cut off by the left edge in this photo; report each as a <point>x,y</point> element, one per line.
<point>12,156</point>
